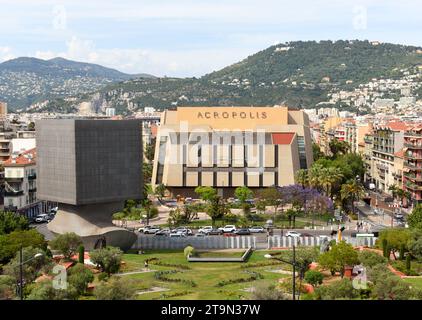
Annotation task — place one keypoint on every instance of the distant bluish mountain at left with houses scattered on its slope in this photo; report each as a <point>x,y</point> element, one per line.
<point>24,81</point>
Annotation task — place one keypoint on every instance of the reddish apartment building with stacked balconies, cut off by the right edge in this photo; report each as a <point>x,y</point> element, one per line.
<point>412,176</point>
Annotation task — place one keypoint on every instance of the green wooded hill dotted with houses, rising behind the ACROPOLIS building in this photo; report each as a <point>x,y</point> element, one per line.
<point>300,74</point>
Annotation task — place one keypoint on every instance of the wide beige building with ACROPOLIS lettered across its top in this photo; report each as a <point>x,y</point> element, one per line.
<point>227,147</point>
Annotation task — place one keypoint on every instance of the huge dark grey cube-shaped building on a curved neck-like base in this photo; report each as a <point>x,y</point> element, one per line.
<point>90,167</point>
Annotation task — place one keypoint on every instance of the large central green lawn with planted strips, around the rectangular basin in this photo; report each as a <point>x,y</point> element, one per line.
<point>205,275</point>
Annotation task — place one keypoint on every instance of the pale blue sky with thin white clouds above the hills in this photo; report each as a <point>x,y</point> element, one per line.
<point>186,38</point>
